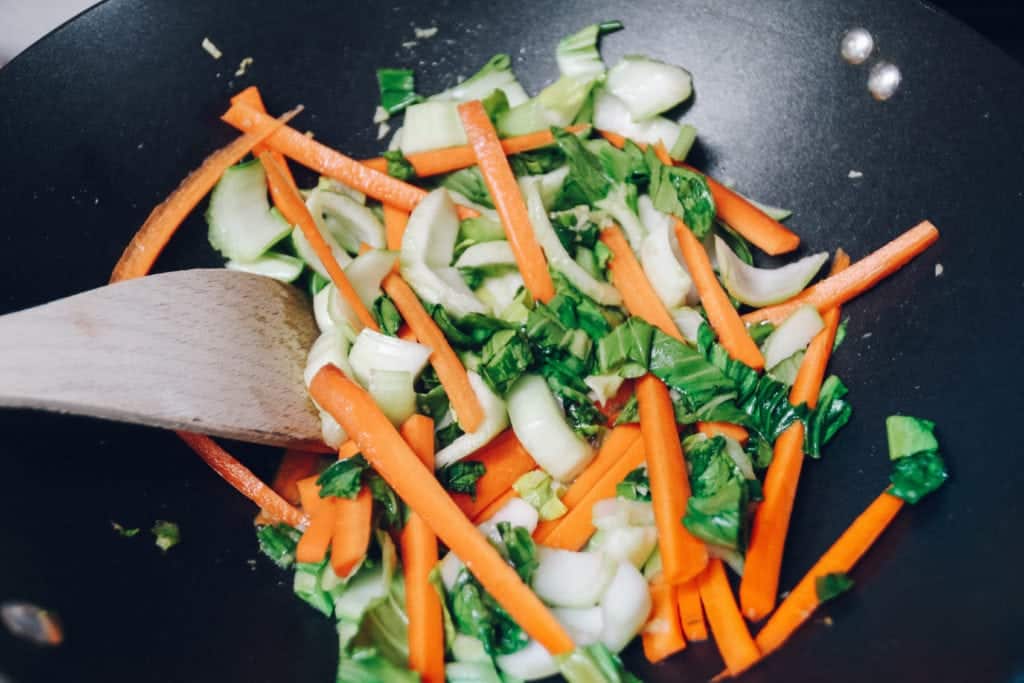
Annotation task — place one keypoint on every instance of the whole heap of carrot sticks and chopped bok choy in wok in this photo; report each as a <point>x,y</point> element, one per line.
<point>552,375</point>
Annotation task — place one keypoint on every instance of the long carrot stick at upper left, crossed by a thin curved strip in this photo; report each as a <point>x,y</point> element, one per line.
<point>328,162</point>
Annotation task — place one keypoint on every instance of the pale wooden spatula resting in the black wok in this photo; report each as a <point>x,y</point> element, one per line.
<point>208,351</point>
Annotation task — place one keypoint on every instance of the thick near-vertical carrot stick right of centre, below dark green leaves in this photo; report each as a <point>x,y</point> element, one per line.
<point>684,557</point>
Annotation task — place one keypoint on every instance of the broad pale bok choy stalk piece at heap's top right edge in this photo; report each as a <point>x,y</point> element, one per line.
<point>649,88</point>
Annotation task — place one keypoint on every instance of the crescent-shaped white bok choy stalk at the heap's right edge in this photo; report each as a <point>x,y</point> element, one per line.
<point>764,287</point>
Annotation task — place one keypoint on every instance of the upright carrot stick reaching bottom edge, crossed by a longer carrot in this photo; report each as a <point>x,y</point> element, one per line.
<point>419,556</point>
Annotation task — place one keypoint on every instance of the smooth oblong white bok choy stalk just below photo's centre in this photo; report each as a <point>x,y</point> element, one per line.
<point>539,423</point>
